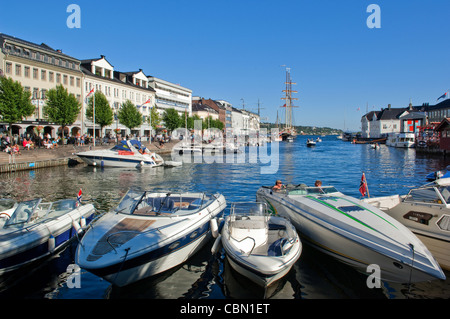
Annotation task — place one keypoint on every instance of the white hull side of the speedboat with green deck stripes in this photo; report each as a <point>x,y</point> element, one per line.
<point>346,247</point>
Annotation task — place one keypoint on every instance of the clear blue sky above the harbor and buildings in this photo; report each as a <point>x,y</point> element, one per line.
<point>234,50</point>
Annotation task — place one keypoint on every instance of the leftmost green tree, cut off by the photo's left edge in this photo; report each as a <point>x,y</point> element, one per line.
<point>15,103</point>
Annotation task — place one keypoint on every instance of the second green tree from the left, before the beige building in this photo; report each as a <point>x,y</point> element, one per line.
<point>61,107</point>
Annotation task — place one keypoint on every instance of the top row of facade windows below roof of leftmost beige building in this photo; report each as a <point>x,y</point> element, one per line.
<point>42,74</point>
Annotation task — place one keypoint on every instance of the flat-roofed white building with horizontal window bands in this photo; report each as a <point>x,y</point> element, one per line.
<point>169,95</point>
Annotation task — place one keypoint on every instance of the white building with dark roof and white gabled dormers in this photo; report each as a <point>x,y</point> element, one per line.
<point>118,87</point>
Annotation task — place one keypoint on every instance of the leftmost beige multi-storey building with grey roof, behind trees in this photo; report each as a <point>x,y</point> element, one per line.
<point>39,68</point>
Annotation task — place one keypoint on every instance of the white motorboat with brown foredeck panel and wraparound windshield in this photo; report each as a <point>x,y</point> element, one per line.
<point>148,233</point>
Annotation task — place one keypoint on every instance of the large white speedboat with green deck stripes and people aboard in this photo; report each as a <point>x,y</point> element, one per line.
<point>354,232</point>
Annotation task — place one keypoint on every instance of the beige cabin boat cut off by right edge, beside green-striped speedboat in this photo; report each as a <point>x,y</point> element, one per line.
<point>425,211</point>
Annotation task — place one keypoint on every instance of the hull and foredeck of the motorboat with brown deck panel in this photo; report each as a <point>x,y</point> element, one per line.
<point>162,242</point>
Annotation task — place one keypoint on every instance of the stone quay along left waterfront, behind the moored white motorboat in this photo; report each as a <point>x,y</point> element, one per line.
<point>63,155</point>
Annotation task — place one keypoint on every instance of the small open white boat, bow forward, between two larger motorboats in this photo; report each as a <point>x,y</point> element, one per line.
<point>260,247</point>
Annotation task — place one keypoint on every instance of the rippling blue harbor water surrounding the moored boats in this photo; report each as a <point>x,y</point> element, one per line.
<point>314,276</point>
